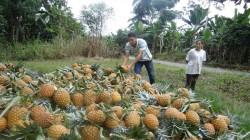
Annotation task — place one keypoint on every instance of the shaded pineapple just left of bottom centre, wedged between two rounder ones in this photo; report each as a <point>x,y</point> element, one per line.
<point>112,121</point>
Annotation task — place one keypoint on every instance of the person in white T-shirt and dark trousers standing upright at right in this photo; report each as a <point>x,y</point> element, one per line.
<point>194,59</point>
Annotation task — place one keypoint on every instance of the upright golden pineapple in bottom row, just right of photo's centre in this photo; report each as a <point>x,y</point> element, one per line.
<point>132,119</point>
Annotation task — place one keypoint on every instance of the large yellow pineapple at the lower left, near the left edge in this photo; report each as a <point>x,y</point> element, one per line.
<point>15,116</point>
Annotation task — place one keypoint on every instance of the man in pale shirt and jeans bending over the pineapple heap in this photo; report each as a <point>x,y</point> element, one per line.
<point>139,48</point>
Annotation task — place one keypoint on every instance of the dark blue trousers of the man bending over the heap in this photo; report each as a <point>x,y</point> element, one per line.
<point>149,67</point>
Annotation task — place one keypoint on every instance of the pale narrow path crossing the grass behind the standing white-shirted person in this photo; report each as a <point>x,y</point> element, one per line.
<point>209,69</point>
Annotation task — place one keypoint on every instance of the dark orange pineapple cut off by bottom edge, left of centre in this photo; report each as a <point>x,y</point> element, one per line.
<point>90,132</point>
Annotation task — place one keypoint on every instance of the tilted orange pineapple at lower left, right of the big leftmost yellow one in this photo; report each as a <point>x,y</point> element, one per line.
<point>41,116</point>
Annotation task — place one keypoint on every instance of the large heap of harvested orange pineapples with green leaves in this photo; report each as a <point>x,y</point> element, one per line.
<point>90,103</point>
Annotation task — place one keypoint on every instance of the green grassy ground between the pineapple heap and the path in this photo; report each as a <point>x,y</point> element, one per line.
<point>228,92</point>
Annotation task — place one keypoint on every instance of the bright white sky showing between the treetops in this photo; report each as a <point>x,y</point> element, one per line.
<point>123,11</point>
